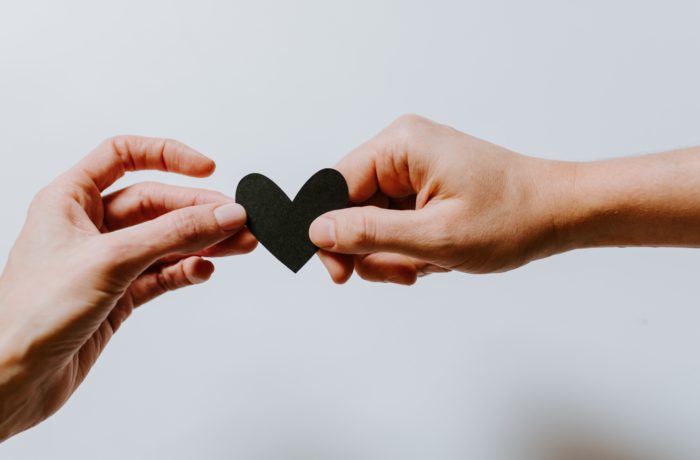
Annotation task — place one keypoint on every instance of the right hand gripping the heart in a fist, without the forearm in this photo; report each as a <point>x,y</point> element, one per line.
<point>432,199</point>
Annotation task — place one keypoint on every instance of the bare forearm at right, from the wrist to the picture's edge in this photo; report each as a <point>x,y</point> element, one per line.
<point>651,200</point>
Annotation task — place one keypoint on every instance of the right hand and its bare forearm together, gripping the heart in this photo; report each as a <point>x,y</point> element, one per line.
<point>429,199</point>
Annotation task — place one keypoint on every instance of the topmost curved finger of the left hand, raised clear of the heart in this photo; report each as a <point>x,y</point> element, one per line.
<point>115,156</point>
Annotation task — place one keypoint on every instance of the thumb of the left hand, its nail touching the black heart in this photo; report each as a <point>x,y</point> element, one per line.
<point>183,231</point>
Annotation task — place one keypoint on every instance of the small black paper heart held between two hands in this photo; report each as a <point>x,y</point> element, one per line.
<point>282,225</point>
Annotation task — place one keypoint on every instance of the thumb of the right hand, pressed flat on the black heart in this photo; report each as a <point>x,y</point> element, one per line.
<point>368,229</point>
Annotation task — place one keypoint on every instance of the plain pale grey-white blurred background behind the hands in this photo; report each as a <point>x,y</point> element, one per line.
<point>590,353</point>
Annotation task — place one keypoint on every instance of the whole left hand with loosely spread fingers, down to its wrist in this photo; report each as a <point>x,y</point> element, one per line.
<point>83,262</point>
